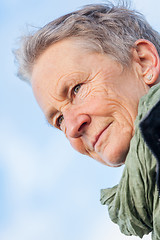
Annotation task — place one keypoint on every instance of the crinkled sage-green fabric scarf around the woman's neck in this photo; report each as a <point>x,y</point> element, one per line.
<point>134,203</point>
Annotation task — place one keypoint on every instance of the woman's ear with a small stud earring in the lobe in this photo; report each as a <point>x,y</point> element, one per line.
<point>147,56</point>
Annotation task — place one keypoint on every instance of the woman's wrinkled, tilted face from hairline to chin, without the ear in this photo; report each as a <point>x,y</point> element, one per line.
<point>90,97</point>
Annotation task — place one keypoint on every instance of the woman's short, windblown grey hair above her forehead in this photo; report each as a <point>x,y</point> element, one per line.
<point>101,28</point>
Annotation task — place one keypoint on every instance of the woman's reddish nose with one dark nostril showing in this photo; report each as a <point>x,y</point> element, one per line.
<point>76,123</point>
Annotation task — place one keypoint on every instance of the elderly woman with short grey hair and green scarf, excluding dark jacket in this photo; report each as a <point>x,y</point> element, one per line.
<point>95,74</point>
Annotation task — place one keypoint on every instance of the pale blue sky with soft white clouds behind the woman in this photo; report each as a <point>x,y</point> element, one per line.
<point>47,190</point>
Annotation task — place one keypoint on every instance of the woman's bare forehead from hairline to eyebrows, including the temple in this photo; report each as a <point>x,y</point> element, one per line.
<point>61,64</point>
